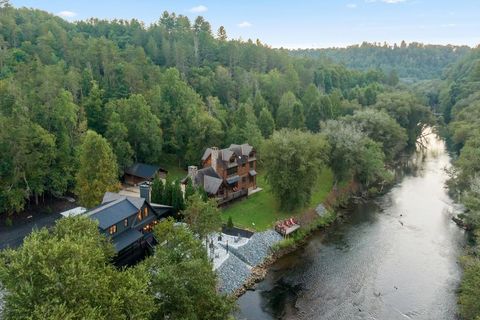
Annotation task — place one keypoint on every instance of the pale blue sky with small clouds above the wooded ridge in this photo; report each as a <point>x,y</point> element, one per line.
<point>299,23</point>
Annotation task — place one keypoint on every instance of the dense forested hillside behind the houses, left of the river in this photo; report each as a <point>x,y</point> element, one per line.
<point>186,86</point>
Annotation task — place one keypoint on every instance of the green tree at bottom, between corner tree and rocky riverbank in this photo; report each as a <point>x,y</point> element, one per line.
<point>182,280</point>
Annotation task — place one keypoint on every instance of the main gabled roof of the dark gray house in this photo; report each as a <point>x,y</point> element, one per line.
<point>115,208</point>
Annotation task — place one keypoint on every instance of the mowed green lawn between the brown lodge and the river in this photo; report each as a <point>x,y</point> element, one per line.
<point>260,211</point>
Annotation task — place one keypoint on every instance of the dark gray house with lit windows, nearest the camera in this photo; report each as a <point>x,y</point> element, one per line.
<point>128,221</point>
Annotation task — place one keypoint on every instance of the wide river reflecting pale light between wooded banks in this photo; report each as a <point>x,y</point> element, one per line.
<point>394,257</point>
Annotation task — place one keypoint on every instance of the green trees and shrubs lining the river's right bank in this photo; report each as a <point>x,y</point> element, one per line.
<point>460,103</point>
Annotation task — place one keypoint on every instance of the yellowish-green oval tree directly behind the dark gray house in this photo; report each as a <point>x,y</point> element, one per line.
<point>97,171</point>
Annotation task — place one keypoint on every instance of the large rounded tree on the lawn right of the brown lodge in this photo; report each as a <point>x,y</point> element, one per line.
<point>293,161</point>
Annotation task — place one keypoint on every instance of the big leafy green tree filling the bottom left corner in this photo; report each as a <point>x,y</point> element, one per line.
<point>64,273</point>
